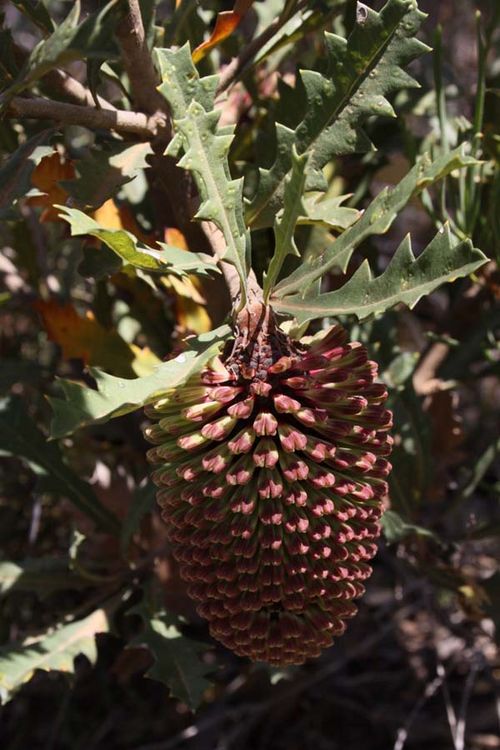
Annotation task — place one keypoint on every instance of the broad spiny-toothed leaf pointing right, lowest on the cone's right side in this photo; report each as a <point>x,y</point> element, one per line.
<point>405,280</point>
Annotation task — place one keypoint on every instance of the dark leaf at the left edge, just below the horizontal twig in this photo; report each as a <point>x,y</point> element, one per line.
<point>16,170</point>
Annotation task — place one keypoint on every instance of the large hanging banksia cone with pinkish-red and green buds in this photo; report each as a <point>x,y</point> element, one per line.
<point>272,466</point>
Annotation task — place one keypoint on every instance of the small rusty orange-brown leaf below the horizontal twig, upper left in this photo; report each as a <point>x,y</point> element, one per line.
<point>46,177</point>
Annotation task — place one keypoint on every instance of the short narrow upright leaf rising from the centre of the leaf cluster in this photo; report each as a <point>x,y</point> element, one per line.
<point>286,221</point>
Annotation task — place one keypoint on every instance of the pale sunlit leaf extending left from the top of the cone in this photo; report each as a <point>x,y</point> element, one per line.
<point>117,396</point>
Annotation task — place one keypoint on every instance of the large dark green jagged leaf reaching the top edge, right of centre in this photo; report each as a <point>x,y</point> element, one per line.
<point>359,73</point>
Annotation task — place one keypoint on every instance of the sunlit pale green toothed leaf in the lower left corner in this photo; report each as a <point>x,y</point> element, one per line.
<point>53,651</point>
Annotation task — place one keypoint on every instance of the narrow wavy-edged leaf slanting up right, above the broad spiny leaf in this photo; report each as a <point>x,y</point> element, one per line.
<point>377,219</point>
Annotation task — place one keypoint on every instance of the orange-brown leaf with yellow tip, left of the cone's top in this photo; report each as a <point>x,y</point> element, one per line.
<point>85,338</point>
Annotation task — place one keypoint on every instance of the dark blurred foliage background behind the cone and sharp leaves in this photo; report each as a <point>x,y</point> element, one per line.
<point>80,537</point>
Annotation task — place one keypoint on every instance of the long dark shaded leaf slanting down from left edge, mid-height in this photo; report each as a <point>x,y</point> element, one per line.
<point>20,437</point>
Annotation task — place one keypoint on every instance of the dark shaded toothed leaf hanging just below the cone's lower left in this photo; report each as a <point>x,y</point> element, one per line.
<point>176,661</point>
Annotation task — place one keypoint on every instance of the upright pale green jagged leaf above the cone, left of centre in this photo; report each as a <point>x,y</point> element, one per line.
<point>205,148</point>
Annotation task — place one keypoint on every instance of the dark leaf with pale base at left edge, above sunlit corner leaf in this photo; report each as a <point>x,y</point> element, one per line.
<point>42,576</point>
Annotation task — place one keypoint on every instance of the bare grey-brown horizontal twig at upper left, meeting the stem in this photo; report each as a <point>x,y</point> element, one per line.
<point>90,117</point>
